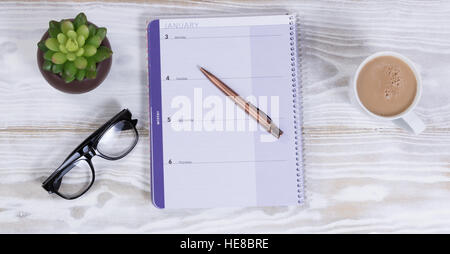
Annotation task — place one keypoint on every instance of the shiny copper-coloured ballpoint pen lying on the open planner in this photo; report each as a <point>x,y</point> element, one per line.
<point>261,117</point>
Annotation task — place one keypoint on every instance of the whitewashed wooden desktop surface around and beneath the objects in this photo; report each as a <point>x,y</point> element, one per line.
<point>363,175</point>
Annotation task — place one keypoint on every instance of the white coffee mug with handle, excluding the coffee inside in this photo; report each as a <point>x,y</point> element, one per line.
<point>407,119</point>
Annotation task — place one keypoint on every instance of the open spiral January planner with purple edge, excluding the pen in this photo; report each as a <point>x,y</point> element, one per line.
<point>206,151</point>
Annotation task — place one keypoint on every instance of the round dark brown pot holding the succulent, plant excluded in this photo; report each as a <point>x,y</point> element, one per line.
<point>75,87</point>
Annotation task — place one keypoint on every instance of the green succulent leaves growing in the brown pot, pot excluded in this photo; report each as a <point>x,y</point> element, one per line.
<point>73,49</point>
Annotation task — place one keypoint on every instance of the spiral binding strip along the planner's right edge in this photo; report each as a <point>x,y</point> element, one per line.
<point>297,106</point>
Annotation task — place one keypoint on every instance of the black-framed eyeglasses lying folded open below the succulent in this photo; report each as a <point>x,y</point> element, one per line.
<point>113,141</point>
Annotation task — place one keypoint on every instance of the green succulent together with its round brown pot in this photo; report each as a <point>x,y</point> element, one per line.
<point>74,55</point>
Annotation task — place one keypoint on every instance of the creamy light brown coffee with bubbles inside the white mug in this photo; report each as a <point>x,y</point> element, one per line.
<point>386,86</point>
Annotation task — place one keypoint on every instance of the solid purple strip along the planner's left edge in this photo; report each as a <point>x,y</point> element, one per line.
<point>156,146</point>
